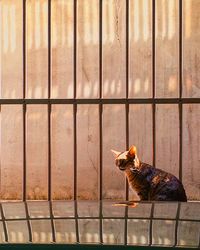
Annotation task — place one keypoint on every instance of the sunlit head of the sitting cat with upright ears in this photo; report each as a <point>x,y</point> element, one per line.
<point>124,160</point>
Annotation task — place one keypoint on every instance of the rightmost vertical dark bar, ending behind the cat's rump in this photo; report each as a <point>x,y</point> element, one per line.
<point>180,89</point>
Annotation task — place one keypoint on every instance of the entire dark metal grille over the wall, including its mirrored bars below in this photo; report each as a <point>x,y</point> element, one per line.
<point>101,102</point>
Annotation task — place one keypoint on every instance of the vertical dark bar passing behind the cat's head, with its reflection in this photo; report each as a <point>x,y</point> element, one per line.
<point>127,116</point>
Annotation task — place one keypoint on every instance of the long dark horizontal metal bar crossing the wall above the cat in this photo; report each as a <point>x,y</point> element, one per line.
<point>103,101</point>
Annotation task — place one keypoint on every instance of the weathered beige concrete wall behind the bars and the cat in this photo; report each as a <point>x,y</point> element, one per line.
<point>114,77</point>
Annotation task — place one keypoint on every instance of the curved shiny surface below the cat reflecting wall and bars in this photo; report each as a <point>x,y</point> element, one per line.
<point>95,221</point>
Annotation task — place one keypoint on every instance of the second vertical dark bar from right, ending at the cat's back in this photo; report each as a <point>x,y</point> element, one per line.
<point>153,80</point>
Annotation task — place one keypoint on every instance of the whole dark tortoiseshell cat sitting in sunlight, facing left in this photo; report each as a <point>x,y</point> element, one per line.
<point>149,182</point>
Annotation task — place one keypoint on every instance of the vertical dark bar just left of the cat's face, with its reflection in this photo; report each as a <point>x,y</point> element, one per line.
<point>100,126</point>
